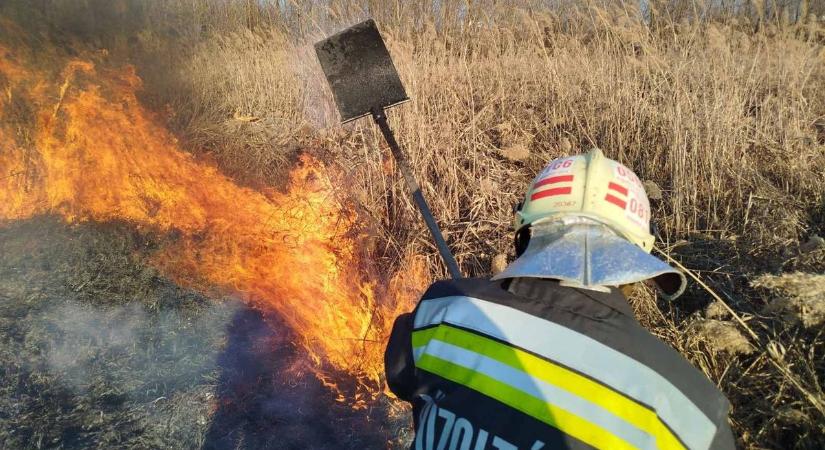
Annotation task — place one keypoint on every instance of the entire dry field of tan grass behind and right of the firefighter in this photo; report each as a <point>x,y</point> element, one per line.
<point>724,118</point>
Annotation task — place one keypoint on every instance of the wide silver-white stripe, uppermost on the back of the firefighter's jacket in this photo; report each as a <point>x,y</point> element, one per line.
<point>579,352</point>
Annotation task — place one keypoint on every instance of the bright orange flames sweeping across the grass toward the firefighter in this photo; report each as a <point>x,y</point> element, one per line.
<point>96,154</point>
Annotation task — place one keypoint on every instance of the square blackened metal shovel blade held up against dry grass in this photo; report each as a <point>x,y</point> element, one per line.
<point>360,71</point>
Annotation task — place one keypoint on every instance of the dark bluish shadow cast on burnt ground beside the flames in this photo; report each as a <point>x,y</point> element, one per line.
<point>267,399</point>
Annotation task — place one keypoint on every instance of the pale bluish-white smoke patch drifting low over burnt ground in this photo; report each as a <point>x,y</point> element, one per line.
<point>87,347</point>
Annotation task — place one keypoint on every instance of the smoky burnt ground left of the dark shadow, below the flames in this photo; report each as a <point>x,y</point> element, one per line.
<point>97,350</point>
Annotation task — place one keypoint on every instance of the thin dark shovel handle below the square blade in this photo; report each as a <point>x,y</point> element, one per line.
<point>381,119</point>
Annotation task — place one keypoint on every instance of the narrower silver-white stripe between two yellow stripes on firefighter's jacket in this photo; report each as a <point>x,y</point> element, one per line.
<point>541,390</point>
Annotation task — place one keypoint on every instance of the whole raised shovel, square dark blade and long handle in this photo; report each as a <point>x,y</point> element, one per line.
<point>364,82</point>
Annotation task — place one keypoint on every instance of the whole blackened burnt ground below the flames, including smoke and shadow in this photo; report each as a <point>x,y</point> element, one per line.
<point>98,350</point>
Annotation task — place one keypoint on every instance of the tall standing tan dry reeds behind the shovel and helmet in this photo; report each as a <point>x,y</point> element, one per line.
<point>722,119</point>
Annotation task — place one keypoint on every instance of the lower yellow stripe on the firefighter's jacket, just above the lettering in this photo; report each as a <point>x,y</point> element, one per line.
<point>554,416</point>
